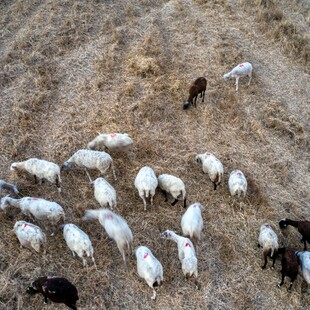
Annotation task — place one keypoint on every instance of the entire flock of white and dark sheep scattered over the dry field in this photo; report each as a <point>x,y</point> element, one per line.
<point>146,182</point>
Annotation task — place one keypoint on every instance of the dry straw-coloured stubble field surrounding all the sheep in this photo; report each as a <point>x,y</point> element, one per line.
<point>73,69</point>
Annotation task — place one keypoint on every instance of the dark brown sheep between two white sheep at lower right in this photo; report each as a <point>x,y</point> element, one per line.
<point>289,265</point>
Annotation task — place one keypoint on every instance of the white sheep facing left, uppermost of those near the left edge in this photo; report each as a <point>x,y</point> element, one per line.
<point>40,169</point>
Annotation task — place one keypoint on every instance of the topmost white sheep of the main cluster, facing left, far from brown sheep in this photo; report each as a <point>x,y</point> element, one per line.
<point>119,142</point>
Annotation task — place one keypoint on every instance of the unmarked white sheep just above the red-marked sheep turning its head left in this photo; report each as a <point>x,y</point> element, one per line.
<point>192,223</point>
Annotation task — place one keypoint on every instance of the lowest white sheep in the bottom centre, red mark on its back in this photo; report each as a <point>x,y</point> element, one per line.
<point>149,268</point>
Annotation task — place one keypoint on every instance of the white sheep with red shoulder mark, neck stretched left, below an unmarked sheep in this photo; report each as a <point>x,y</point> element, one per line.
<point>186,251</point>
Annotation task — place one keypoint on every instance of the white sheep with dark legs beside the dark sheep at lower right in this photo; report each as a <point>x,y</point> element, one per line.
<point>268,240</point>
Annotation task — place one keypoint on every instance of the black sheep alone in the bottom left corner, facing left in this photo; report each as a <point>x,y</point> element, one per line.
<point>57,289</point>
